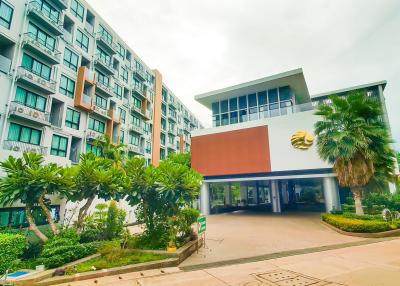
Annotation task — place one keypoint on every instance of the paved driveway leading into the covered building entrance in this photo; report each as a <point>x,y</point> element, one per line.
<point>240,235</point>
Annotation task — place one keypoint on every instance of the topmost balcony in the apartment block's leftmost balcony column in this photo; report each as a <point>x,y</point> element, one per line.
<point>55,26</point>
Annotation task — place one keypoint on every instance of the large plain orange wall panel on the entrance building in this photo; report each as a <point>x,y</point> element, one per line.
<point>244,151</point>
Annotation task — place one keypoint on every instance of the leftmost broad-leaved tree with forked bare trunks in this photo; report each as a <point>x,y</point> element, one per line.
<point>29,181</point>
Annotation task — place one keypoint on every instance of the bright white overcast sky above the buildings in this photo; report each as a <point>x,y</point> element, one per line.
<point>203,45</point>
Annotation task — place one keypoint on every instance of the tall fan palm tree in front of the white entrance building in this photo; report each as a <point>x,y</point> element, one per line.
<point>352,137</point>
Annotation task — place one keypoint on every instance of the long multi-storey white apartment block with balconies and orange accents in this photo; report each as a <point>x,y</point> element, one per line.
<point>66,77</point>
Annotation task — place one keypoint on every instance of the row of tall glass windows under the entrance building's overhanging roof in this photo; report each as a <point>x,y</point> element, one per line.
<point>263,104</point>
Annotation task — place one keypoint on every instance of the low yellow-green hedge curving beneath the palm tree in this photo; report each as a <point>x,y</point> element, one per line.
<point>357,224</point>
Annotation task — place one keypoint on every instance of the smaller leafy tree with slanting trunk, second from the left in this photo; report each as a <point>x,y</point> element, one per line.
<point>96,176</point>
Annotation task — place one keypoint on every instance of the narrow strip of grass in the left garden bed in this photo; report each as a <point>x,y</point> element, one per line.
<point>126,257</point>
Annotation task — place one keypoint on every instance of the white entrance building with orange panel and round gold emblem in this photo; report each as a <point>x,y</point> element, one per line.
<point>260,152</point>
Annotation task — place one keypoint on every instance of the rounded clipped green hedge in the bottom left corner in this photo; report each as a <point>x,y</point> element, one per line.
<point>11,248</point>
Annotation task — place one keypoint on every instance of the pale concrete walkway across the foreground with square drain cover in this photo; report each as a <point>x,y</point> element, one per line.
<point>376,264</point>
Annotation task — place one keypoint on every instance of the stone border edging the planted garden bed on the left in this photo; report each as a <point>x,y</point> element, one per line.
<point>46,278</point>
